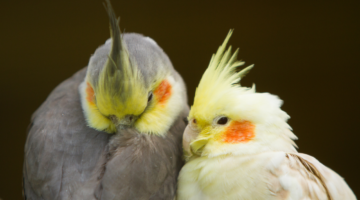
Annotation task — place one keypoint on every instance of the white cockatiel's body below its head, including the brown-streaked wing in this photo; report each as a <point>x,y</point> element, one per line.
<point>271,175</point>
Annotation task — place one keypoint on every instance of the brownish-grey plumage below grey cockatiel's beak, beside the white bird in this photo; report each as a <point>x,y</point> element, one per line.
<point>142,166</point>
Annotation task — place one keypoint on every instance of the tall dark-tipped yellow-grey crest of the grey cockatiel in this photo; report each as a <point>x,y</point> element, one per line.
<point>120,75</point>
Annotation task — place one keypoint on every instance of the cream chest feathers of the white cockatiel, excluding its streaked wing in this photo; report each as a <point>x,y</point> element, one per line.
<point>225,177</point>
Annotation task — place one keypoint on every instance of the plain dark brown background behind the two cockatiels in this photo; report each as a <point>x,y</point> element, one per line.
<point>307,52</point>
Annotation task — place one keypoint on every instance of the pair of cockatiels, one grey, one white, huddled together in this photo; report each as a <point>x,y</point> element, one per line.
<point>116,130</point>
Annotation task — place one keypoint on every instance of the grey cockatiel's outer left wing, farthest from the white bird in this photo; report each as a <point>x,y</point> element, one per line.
<point>63,156</point>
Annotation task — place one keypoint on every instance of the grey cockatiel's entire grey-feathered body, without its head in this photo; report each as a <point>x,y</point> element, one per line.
<point>65,159</point>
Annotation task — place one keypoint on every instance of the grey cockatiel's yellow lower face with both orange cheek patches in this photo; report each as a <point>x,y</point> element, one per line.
<point>146,107</point>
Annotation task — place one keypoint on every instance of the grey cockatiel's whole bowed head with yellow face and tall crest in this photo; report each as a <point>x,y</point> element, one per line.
<point>126,84</point>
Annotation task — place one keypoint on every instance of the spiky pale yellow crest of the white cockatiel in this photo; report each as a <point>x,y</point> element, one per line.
<point>220,82</point>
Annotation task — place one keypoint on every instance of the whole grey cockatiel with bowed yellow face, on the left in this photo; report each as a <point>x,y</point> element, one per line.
<point>111,131</point>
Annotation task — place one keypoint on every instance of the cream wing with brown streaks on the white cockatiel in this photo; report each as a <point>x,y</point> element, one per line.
<point>300,176</point>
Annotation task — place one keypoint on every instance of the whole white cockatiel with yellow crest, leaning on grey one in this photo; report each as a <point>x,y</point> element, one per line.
<point>238,145</point>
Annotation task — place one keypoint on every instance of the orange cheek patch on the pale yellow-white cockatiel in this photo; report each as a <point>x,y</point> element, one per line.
<point>239,132</point>
